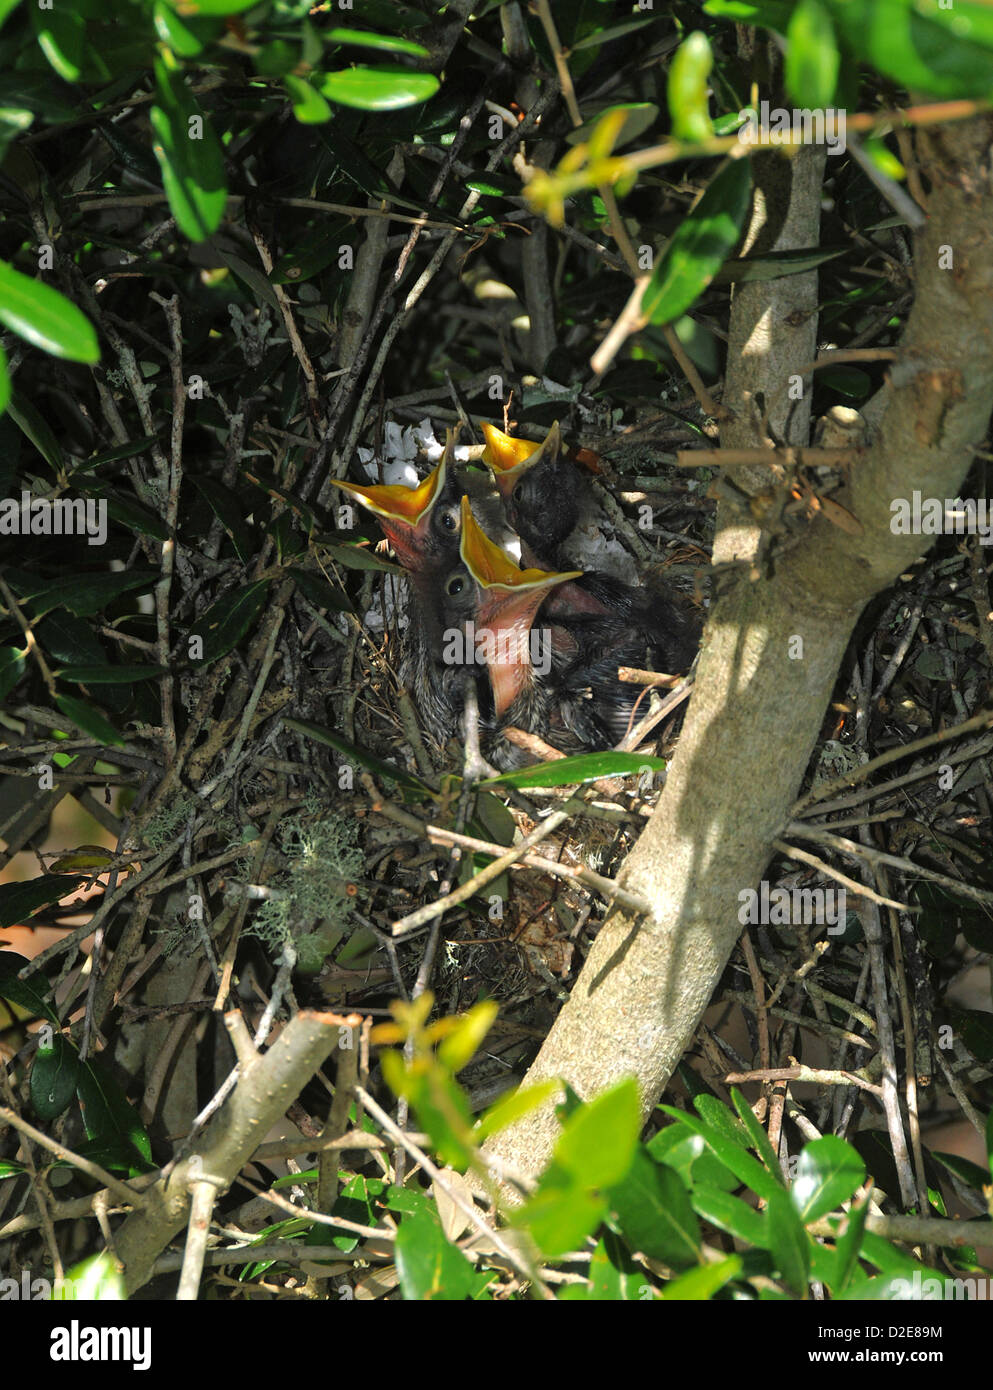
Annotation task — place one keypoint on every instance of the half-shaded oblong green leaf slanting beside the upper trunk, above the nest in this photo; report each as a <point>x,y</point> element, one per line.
<point>700,247</point>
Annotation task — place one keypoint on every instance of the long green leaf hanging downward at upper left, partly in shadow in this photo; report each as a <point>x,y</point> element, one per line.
<point>191,158</point>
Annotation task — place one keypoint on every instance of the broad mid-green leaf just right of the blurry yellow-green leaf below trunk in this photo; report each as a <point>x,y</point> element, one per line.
<point>656,1216</point>
